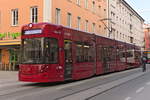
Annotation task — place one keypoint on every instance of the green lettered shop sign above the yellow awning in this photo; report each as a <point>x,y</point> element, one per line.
<point>10,35</point>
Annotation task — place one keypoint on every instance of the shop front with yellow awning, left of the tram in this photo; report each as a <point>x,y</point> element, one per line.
<point>9,53</point>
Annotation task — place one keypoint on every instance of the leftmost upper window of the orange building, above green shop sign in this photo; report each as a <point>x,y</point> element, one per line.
<point>14,17</point>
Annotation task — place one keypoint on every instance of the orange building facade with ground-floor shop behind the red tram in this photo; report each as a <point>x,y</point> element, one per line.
<point>83,15</point>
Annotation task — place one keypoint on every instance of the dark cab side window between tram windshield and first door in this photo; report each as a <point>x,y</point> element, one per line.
<point>51,50</point>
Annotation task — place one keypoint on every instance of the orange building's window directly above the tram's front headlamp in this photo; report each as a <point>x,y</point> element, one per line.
<point>34,14</point>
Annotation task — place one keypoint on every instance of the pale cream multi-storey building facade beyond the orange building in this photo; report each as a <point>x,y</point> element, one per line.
<point>126,24</point>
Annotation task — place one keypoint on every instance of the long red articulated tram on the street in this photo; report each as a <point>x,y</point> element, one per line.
<point>53,53</point>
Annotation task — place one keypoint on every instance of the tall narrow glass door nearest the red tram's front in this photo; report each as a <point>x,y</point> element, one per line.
<point>68,59</point>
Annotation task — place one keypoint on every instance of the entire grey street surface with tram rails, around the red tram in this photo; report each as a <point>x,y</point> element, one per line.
<point>127,85</point>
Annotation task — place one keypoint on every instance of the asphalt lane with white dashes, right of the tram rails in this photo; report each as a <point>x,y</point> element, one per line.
<point>136,89</point>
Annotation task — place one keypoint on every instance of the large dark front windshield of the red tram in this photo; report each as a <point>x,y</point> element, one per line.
<point>32,50</point>
